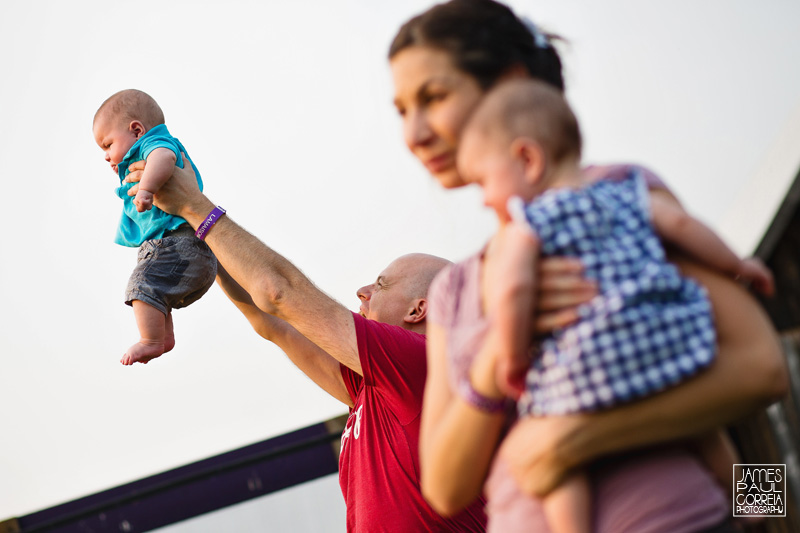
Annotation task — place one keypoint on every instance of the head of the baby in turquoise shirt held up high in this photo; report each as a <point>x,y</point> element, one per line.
<point>121,120</point>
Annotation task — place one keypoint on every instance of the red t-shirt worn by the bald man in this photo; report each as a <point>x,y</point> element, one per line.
<point>379,462</point>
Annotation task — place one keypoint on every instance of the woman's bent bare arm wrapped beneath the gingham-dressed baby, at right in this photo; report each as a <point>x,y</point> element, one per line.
<point>749,373</point>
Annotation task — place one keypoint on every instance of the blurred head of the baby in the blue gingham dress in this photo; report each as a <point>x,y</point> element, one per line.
<point>518,141</point>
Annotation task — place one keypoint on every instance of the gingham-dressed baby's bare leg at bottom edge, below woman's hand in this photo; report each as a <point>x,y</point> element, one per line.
<point>569,507</point>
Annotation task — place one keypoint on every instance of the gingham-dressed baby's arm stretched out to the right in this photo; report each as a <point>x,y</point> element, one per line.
<point>675,226</point>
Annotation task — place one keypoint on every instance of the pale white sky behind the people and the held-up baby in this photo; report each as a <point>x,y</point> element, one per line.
<point>286,109</point>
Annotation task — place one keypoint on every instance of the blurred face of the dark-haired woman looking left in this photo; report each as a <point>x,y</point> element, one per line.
<point>434,99</point>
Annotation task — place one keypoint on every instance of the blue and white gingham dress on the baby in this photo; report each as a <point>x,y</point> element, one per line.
<point>649,328</point>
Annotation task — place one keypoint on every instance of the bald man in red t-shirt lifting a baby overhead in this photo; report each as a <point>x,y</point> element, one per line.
<point>373,362</point>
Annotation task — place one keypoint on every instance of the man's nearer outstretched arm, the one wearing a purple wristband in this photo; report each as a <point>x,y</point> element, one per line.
<point>277,287</point>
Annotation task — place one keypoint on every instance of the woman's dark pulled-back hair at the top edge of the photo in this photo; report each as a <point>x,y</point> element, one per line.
<point>485,39</point>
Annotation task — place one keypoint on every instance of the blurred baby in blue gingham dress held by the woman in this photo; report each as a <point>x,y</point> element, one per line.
<point>648,329</point>
